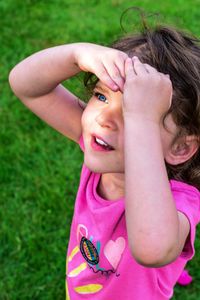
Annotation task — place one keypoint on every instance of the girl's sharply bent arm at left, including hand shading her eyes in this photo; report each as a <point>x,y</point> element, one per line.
<point>36,81</point>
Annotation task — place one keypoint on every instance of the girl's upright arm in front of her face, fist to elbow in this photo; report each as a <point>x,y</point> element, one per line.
<point>156,231</point>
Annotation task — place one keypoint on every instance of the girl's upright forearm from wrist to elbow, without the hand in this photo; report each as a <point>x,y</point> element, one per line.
<point>152,219</point>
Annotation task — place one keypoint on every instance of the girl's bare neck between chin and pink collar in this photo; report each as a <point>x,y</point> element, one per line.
<point>111,186</point>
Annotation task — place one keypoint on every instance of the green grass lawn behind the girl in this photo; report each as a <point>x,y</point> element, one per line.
<point>39,170</point>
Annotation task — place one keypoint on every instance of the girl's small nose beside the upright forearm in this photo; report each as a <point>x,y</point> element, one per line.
<point>109,117</point>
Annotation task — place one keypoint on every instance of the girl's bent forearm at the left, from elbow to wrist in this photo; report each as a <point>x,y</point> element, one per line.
<point>41,72</point>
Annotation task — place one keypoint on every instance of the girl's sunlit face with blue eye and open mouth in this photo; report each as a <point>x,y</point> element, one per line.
<point>103,131</point>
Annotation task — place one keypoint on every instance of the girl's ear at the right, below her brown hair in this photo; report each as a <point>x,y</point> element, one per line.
<point>182,150</point>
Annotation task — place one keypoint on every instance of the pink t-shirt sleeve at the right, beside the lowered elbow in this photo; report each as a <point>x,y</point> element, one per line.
<point>187,200</point>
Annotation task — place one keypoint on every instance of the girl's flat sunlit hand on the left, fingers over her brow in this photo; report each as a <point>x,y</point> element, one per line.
<point>106,63</point>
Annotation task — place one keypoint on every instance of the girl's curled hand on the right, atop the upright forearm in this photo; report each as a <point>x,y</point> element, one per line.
<point>147,92</point>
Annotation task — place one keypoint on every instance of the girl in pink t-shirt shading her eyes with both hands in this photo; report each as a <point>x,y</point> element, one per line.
<point>138,202</point>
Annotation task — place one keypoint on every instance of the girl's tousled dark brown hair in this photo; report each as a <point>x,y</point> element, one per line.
<point>176,53</point>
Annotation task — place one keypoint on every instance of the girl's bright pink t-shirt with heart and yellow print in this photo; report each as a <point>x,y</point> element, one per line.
<point>99,262</point>
